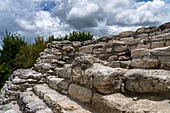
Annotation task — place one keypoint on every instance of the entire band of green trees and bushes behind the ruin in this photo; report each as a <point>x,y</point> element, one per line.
<point>16,53</point>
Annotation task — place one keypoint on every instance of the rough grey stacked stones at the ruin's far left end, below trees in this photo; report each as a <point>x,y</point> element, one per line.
<point>18,82</point>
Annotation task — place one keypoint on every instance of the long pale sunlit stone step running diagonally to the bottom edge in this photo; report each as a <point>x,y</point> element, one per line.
<point>60,103</point>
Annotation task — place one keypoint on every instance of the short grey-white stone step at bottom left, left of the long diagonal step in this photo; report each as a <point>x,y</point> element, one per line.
<point>30,103</point>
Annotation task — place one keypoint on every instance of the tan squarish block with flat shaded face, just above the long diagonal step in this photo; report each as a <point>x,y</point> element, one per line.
<point>80,93</point>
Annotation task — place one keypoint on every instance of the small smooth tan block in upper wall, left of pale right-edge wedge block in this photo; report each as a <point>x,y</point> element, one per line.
<point>139,52</point>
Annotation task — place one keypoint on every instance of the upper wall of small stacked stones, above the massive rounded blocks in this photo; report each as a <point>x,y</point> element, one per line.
<point>147,47</point>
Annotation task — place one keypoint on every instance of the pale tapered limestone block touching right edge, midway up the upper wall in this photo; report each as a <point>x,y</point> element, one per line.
<point>164,51</point>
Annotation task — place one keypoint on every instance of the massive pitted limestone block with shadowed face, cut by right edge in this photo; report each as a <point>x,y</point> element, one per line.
<point>147,81</point>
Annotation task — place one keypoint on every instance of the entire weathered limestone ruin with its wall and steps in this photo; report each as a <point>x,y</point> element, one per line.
<point>124,73</point>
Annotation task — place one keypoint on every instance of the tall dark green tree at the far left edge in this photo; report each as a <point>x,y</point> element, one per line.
<point>11,44</point>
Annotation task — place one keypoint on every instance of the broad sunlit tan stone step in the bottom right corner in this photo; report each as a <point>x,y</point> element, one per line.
<point>120,103</point>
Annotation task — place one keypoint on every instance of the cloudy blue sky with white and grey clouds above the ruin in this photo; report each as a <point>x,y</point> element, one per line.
<point>32,18</point>
